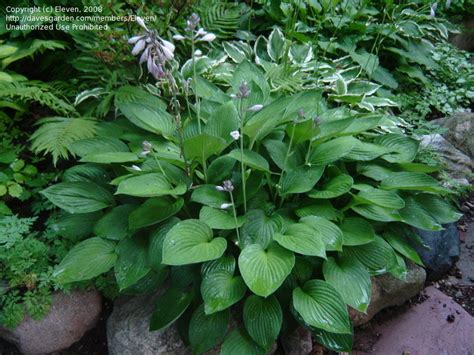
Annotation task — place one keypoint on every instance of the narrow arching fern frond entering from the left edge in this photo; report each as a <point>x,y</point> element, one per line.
<point>40,93</point>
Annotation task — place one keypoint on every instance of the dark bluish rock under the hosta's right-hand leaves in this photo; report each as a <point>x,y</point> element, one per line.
<point>444,250</point>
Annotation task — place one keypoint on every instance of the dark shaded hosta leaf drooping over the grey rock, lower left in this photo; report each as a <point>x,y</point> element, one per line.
<point>169,307</point>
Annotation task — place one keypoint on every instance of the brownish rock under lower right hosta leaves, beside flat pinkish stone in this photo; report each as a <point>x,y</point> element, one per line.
<point>388,291</point>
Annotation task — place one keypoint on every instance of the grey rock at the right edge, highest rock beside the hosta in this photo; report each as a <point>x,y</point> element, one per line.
<point>460,131</point>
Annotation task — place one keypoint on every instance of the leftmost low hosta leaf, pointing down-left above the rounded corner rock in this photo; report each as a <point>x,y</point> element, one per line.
<point>86,260</point>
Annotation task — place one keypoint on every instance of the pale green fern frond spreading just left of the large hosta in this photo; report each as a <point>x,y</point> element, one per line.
<point>56,134</point>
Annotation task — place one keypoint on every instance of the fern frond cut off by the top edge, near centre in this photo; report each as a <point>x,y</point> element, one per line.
<point>221,18</point>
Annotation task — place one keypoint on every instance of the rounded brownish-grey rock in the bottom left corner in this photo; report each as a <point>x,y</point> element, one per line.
<point>71,315</point>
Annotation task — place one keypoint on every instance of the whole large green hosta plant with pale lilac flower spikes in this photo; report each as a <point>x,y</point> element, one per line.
<point>242,197</point>
